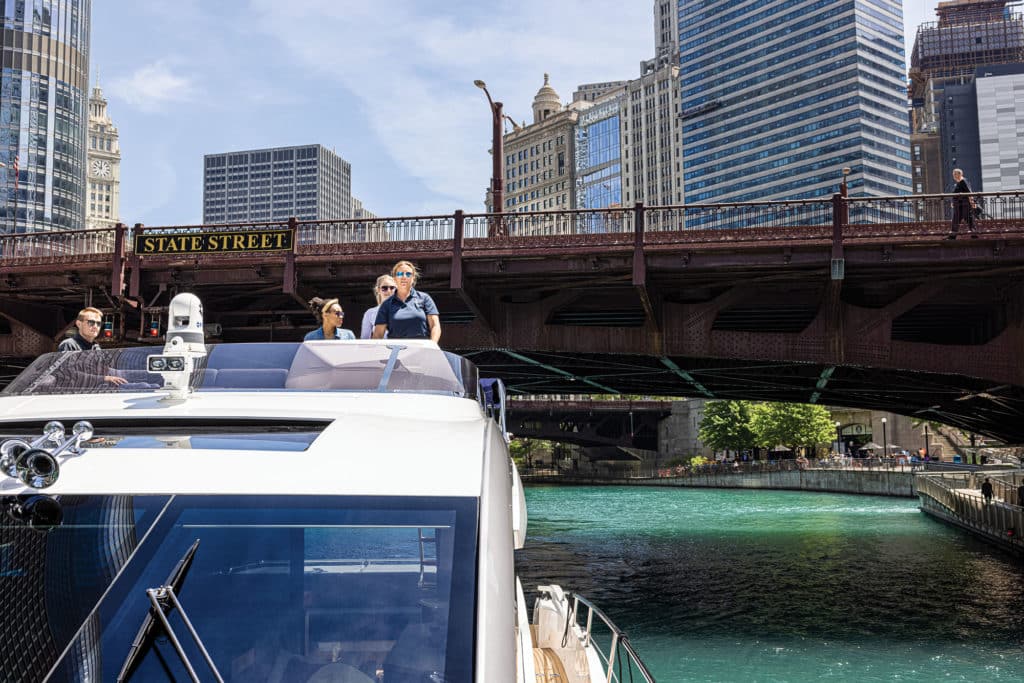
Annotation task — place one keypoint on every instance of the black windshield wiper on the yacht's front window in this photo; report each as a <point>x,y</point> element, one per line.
<point>165,600</point>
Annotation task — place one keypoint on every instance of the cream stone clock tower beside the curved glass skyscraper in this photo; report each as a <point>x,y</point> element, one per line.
<point>104,169</point>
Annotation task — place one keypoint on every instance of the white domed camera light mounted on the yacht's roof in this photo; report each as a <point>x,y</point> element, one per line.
<point>186,345</point>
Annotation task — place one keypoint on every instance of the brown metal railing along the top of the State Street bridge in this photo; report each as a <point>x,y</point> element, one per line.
<point>834,219</point>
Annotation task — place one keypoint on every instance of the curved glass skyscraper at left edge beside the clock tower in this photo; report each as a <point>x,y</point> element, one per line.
<point>44,117</point>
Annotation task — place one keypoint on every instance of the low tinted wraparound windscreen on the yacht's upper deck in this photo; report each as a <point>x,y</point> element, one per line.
<point>327,366</point>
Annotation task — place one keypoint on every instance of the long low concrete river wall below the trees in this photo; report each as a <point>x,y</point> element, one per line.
<point>869,483</point>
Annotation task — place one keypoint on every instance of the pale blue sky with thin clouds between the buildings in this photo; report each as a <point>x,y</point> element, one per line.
<point>386,83</point>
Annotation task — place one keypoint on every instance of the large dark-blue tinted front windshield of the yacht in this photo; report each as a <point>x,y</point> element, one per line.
<point>357,589</point>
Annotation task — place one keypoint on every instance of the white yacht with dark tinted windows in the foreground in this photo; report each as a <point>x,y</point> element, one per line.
<point>311,513</point>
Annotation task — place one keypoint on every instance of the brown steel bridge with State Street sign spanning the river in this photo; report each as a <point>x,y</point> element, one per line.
<point>846,302</point>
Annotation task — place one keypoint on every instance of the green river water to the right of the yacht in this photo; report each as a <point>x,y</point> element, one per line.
<point>782,586</point>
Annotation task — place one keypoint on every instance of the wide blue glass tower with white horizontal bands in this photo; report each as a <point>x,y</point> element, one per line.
<point>780,96</point>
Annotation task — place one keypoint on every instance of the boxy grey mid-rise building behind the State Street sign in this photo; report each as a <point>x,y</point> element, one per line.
<point>309,183</point>
